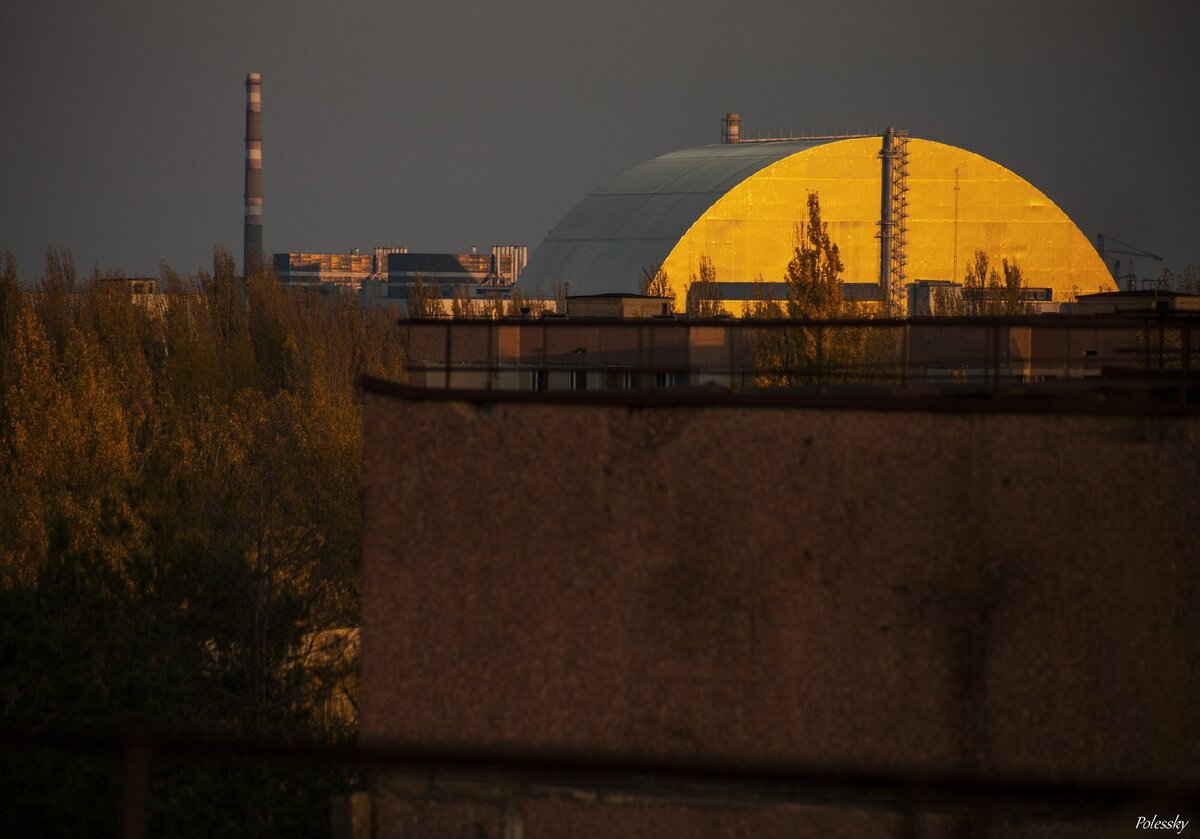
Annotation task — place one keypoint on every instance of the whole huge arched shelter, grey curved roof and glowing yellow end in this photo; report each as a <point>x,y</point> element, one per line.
<point>898,208</point>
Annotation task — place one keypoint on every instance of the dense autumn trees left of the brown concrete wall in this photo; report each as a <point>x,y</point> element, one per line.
<point>181,508</point>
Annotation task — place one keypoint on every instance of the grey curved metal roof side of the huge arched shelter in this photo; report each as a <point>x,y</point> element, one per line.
<point>633,223</point>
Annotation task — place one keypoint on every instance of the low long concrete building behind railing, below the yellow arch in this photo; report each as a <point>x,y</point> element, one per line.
<point>597,347</point>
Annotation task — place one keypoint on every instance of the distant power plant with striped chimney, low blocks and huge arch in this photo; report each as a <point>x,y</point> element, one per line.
<point>907,214</point>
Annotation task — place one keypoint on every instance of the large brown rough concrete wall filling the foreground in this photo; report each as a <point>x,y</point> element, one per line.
<point>1010,596</point>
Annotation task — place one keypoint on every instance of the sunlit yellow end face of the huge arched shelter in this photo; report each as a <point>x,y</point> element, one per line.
<point>958,203</point>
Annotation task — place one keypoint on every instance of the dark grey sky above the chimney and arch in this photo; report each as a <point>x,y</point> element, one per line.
<point>441,124</point>
